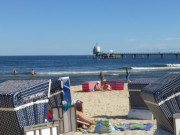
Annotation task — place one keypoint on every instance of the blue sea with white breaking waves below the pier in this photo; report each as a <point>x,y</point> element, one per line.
<point>80,68</point>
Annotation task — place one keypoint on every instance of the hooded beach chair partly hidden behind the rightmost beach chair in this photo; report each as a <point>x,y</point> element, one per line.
<point>138,108</point>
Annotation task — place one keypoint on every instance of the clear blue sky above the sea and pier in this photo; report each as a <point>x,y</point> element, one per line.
<point>72,27</point>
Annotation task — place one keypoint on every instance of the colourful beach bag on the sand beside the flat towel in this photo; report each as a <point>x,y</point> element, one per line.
<point>104,126</point>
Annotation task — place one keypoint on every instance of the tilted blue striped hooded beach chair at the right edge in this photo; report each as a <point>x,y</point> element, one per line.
<point>163,99</point>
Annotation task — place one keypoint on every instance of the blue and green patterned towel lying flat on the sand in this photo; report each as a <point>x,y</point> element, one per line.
<point>134,126</point>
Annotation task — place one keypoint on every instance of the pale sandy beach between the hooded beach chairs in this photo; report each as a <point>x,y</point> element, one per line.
<point>109,105</point>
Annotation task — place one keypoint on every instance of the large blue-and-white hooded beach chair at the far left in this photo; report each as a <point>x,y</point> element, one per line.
<point>22,103</point>
